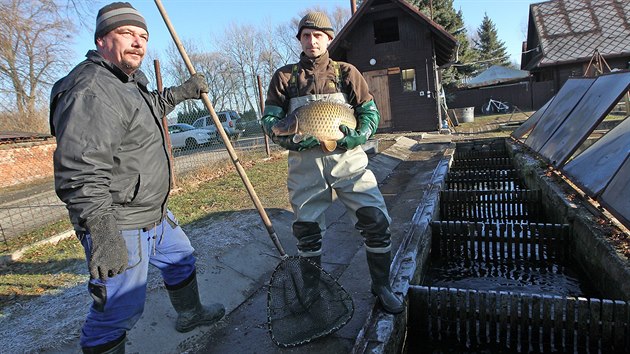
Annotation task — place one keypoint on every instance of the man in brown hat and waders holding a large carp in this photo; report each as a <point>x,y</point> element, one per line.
<point>322,112</point>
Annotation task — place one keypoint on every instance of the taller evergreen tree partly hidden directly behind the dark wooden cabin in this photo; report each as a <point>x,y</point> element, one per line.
<point>444,14</point>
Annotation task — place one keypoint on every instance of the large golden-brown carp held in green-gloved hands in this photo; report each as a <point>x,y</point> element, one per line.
<point>320,119</point>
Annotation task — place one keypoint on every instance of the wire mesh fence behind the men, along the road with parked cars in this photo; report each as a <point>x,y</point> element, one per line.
<point>29,205</point>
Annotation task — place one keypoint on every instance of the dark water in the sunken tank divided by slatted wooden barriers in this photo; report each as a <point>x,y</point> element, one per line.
<point>530,265</point>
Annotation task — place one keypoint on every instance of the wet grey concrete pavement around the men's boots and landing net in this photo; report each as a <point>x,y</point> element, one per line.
<point>235,267</point>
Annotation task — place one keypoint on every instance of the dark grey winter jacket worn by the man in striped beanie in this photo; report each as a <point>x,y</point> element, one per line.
<point>111,155</point>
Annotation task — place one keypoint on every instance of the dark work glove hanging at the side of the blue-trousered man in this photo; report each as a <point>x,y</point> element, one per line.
<point>108,255</point>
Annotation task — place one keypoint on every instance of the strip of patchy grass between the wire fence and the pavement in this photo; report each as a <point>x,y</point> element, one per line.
<point>212,190</point>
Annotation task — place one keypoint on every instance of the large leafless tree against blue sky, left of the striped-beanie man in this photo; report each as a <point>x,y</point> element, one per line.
<point>34,49</point>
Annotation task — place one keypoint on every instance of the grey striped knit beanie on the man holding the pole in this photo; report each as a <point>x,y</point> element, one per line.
<point>115,15</point>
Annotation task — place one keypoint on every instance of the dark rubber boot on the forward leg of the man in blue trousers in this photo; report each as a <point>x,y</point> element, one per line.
<point>191,314</point>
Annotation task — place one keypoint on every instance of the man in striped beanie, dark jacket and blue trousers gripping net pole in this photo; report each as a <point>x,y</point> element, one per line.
<point>112,171</point>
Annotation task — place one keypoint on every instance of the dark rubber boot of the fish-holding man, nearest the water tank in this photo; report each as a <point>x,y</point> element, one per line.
<point>379,271</point>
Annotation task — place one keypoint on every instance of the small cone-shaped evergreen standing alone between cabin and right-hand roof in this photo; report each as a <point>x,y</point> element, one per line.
<point>490,50</point>
